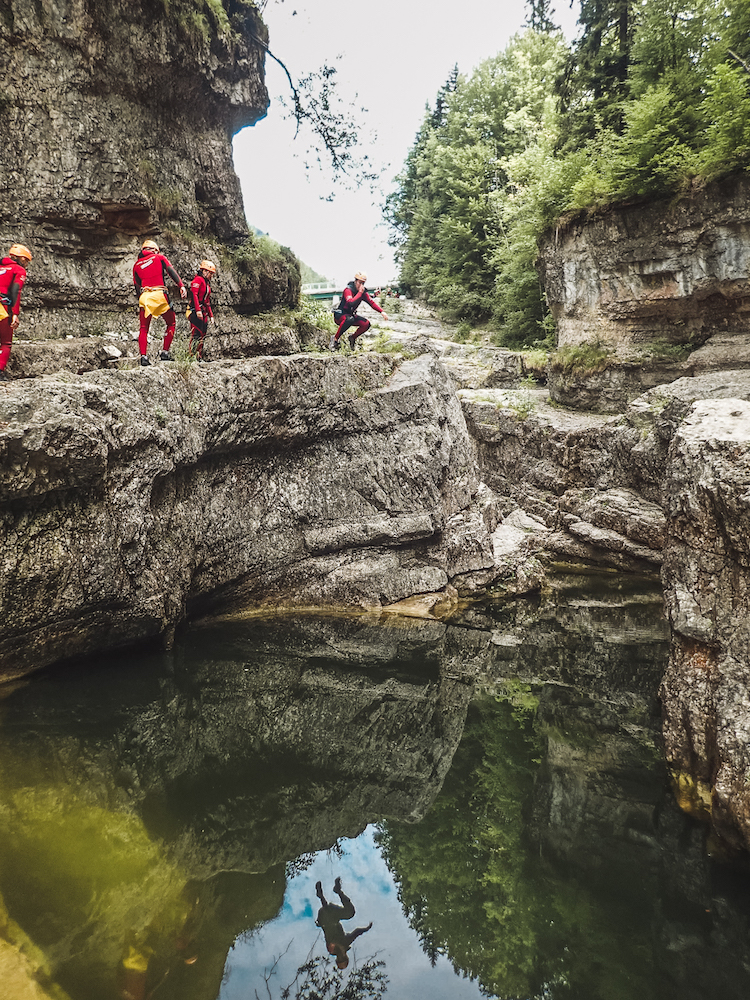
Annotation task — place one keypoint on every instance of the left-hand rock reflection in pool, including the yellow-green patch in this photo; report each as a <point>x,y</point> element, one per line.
<point>254,744</point>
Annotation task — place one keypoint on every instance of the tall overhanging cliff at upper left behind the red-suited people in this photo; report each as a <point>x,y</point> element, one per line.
<point>118,119</point>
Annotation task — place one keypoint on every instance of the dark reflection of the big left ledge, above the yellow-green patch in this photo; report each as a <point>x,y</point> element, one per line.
<point>263,741</point>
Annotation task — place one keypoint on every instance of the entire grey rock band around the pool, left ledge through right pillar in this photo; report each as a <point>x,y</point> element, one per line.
<point>132,498</point>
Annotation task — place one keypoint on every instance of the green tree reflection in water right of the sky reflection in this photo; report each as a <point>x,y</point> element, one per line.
<point>473,890</point>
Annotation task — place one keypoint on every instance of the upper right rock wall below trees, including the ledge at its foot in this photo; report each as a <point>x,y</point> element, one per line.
<point>661,289</point>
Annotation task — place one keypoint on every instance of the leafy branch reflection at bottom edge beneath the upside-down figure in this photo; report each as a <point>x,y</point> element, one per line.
<point>317,979</point>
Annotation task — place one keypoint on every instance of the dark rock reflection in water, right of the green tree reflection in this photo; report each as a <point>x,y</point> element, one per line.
<point>602,812</point>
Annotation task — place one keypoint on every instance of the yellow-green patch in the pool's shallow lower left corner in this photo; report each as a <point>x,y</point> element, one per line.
<point>83,883</point>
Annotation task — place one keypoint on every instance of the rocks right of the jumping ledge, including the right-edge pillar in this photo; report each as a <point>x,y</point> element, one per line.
<point>665,482</point>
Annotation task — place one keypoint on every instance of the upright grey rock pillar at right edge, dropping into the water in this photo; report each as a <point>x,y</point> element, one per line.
<point>706,577</point>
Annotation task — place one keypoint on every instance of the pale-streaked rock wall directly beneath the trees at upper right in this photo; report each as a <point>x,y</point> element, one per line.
<point>674,270</point>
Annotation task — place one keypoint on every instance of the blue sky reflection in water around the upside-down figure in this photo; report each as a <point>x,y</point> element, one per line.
<point>368,882</point>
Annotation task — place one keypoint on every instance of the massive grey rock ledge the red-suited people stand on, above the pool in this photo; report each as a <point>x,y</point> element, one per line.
<point>129,497</point>
